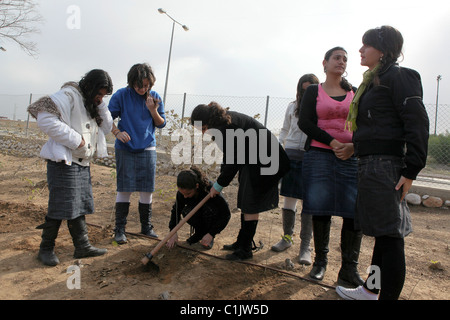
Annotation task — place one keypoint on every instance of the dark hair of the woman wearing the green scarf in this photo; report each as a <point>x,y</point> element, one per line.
<point>388,40</point>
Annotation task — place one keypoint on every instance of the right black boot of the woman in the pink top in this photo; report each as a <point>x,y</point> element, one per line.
<point>350,246</point>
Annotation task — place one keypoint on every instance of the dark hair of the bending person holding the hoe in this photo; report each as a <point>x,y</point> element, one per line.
<point>212,115</point>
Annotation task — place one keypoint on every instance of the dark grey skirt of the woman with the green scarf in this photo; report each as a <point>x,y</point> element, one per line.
<point>379,211</point>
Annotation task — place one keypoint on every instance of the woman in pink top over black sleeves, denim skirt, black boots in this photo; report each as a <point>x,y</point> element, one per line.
<point>329,167</point>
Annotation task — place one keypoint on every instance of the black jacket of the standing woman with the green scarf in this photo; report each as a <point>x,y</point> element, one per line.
<point>392,119</point>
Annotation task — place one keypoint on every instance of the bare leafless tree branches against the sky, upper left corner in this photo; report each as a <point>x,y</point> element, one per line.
<point>19,20</point>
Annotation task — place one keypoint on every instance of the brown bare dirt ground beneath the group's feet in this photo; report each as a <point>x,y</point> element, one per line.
<point>186,272</point>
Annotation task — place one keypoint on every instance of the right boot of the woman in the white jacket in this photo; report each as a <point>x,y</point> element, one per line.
<point>78,231</point>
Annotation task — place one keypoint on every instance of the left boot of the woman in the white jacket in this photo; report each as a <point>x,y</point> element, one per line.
<point>49,234</point>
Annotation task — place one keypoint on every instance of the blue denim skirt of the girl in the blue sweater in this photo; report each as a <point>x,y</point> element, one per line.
<point>135,170</point>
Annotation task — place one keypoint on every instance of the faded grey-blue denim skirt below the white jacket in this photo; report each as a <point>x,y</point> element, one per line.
<point>70,191</point>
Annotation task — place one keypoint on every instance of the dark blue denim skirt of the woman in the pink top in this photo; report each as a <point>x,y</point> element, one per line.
<point>329,184</point>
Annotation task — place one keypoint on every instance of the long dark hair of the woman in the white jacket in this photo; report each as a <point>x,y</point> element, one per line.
<point>90,85</point>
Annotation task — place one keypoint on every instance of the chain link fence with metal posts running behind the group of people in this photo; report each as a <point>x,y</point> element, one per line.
<point>269,111</point>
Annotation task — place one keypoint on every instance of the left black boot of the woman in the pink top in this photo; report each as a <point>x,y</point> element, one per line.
<point>321,233</point>
